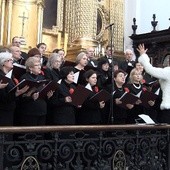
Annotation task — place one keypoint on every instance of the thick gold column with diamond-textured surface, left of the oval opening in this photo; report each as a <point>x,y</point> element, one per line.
<point>80,22</point>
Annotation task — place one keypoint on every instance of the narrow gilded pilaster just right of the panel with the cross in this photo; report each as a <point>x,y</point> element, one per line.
<point>40,6</point>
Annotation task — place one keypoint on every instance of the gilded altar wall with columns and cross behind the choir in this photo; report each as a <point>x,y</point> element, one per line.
<point>63,24</point>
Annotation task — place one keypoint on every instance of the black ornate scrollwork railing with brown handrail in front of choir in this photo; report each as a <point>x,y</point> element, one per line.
<point>117,147</point>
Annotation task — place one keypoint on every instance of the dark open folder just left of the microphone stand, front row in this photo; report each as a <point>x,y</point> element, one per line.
<point>102,95</point>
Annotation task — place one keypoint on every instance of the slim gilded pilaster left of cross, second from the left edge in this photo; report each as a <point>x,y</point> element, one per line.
<point>9,20</point>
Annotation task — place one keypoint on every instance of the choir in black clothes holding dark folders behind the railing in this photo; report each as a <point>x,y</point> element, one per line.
<point>54,91</point>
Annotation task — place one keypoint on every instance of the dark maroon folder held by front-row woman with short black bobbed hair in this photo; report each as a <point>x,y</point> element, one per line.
<point>80,95</point>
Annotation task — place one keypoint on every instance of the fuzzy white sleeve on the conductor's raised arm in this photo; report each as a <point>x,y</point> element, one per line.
<point>160,73</point>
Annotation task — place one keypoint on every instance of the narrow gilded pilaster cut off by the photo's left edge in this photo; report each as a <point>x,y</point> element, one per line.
<point>2,23</point>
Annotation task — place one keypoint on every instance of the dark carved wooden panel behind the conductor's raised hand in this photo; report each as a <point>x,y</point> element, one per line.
<point>158,44</point>
